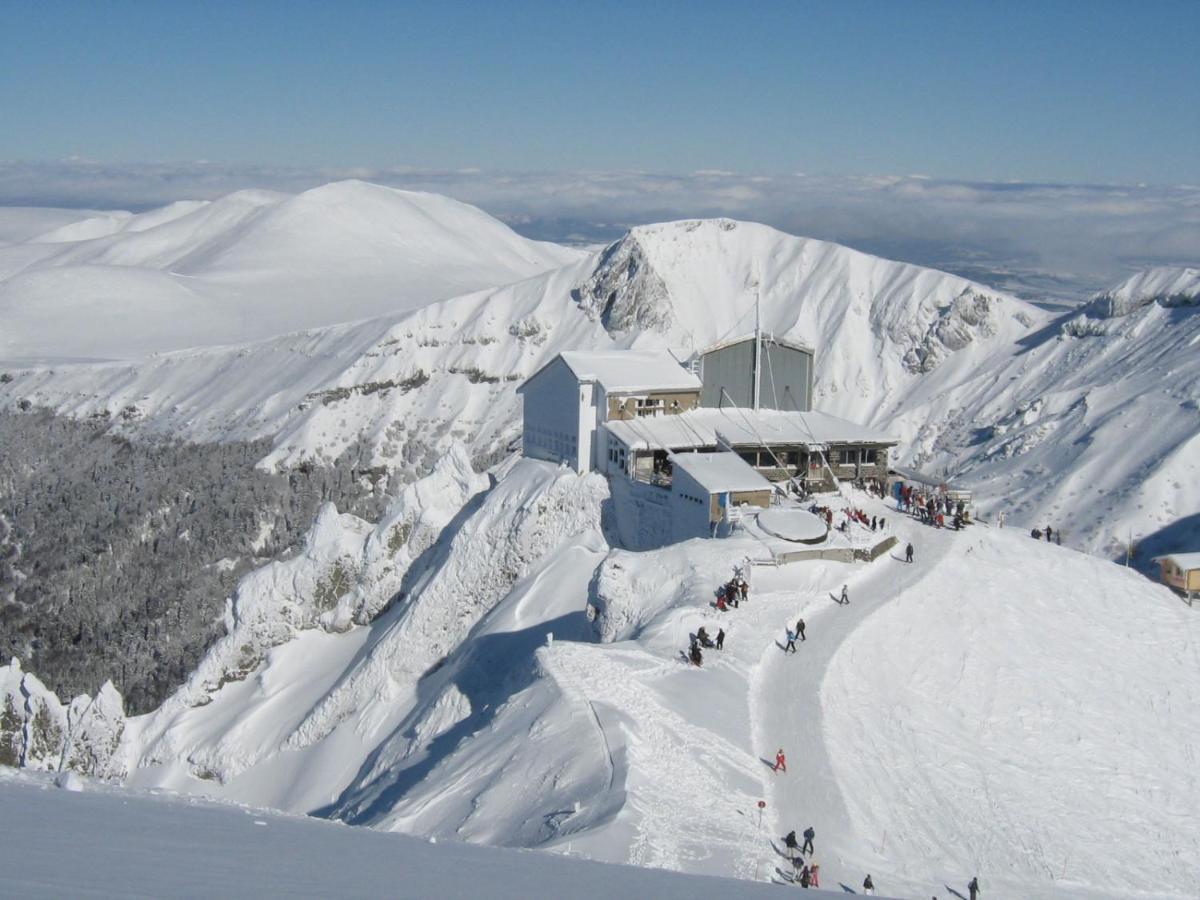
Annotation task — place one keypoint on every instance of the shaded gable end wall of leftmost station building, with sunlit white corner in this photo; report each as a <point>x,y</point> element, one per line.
<point>555,416</point>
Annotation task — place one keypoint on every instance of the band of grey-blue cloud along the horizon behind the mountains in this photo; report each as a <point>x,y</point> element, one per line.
<point>1041,239</point>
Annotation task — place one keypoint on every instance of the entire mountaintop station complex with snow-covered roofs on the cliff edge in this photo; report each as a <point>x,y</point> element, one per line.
<point>709,440</point>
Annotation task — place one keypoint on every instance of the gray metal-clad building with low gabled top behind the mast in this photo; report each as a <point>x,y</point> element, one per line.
<point>727,371</point>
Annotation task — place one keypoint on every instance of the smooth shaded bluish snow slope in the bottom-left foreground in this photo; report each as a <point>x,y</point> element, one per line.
<point>79,838</point>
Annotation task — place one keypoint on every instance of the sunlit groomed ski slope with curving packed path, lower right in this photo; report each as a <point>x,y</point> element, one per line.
<point>1000,707</point>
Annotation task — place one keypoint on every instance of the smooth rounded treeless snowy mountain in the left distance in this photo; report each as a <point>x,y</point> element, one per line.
<point>248,267</point>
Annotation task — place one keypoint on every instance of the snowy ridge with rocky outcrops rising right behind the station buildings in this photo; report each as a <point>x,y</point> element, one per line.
<point>976,385</point>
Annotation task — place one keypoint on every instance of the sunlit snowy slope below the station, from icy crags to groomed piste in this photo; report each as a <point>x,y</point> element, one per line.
<point>549,705</point>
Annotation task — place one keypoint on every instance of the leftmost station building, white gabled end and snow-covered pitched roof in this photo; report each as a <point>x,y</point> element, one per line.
<point>567,400</point>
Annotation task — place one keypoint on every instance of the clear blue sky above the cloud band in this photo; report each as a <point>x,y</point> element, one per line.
<point>1064,93</point>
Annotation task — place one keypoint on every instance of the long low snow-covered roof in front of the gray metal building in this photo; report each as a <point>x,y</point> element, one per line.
<point>743,428</point>
